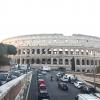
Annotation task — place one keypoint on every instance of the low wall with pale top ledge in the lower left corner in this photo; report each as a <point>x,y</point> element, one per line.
<point>17,88</point>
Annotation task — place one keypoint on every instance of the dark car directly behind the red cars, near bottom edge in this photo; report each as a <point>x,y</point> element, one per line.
<point>43,95</point>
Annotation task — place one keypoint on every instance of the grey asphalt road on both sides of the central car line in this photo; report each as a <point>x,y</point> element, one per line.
<point>54,92</point>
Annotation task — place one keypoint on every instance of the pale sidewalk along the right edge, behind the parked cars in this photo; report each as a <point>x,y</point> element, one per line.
<point>90,79</point>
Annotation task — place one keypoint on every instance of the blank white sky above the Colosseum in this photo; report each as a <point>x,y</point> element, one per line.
<point>23,17</point>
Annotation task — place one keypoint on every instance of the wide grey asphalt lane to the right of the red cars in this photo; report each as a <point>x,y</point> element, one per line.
<point>57,94</point>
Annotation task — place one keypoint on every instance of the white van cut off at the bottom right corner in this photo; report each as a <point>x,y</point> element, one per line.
<point>86,97</point>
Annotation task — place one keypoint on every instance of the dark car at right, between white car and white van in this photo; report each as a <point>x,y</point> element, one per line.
<point>87,89</point>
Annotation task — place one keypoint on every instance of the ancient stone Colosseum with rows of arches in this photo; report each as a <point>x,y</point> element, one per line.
<point>77,52</point>
